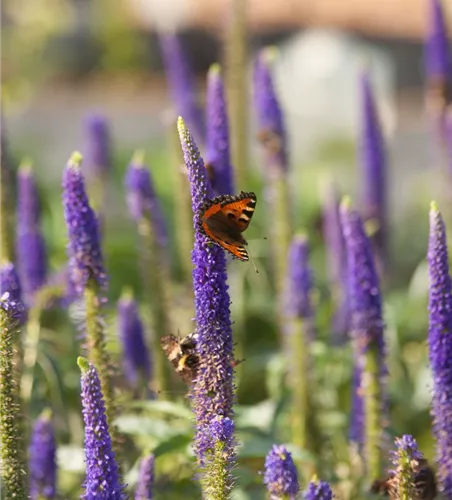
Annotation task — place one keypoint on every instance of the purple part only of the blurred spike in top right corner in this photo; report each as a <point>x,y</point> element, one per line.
<point>438,61</point>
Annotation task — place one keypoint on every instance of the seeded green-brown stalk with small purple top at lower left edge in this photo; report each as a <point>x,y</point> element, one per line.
<point>12,457</point>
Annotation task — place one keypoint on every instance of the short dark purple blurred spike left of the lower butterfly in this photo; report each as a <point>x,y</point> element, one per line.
<point>136,355</point>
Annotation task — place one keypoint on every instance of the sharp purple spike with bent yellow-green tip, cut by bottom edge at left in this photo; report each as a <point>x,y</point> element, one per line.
<point>102,472</point>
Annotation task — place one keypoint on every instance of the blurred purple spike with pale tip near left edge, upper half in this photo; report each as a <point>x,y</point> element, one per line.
<point>31,249</point>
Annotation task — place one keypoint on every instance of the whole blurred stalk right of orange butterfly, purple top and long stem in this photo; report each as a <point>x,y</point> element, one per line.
<point>273,138</point>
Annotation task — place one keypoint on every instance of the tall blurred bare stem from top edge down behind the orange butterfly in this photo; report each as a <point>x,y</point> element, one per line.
<point>237,87</point>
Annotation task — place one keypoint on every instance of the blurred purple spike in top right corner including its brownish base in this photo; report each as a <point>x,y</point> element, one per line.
<point>438,58</point>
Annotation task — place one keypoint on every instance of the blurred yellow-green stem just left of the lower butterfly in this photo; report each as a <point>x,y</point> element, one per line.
<point>155,270</point>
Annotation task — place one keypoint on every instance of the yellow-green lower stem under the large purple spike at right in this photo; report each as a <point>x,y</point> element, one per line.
<point>373,414</point>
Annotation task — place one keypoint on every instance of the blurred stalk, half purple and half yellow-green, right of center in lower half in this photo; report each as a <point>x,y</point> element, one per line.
<point>300,331</point>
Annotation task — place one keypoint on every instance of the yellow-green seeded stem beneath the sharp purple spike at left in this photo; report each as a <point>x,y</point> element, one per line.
<point>98,356</point>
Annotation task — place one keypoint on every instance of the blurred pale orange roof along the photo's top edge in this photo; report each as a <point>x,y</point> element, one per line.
<point>383,18</point>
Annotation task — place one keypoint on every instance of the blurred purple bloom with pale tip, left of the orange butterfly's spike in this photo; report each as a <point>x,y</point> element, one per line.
<point>141,197</point>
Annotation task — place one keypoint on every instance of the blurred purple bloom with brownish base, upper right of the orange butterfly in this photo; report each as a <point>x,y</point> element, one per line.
<point>269,114</point>
